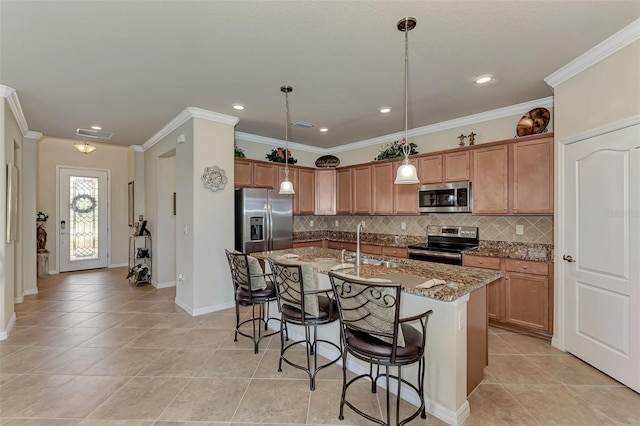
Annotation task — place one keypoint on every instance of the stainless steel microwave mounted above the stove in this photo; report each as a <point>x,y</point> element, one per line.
<point>452,197</point>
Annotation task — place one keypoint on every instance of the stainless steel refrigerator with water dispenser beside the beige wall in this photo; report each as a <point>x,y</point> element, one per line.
<point>263,220</point>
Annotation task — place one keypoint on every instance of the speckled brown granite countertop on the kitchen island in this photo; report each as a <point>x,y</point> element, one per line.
<point>460,280</point>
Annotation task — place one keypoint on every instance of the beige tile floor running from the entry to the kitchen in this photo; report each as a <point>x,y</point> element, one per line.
<point>90,350</point>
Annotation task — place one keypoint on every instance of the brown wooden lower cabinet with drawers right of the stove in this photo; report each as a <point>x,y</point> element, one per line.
<point>523,299</point>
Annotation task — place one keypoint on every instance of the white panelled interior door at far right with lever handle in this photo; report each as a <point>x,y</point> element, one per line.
<point>602,250</point>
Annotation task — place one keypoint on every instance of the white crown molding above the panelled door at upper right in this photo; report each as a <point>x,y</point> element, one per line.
<point>619,40</point>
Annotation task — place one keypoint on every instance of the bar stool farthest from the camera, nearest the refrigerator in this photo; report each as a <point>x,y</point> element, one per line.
<point>252,287</point>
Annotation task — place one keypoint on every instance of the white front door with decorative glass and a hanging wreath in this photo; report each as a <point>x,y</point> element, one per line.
<point>83,219</point>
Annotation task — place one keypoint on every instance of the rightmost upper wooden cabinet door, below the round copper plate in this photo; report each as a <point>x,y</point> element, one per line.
<point>532,185</point>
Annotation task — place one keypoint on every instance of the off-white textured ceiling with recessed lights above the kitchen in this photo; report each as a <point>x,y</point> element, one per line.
<point>133,66</point>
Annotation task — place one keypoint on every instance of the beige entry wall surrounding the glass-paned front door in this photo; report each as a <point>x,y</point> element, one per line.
<point>53,152</point>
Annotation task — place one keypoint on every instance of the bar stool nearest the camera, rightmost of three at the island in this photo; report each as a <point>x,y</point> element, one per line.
<point>372,331</point>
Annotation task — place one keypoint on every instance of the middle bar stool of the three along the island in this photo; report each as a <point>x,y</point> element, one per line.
<point>301,303</point>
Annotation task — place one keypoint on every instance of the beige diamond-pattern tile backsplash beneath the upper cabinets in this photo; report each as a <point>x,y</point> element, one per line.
<point>536,229</point>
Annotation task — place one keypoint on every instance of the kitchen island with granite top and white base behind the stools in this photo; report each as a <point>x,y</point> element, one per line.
<point>456,333</point>
